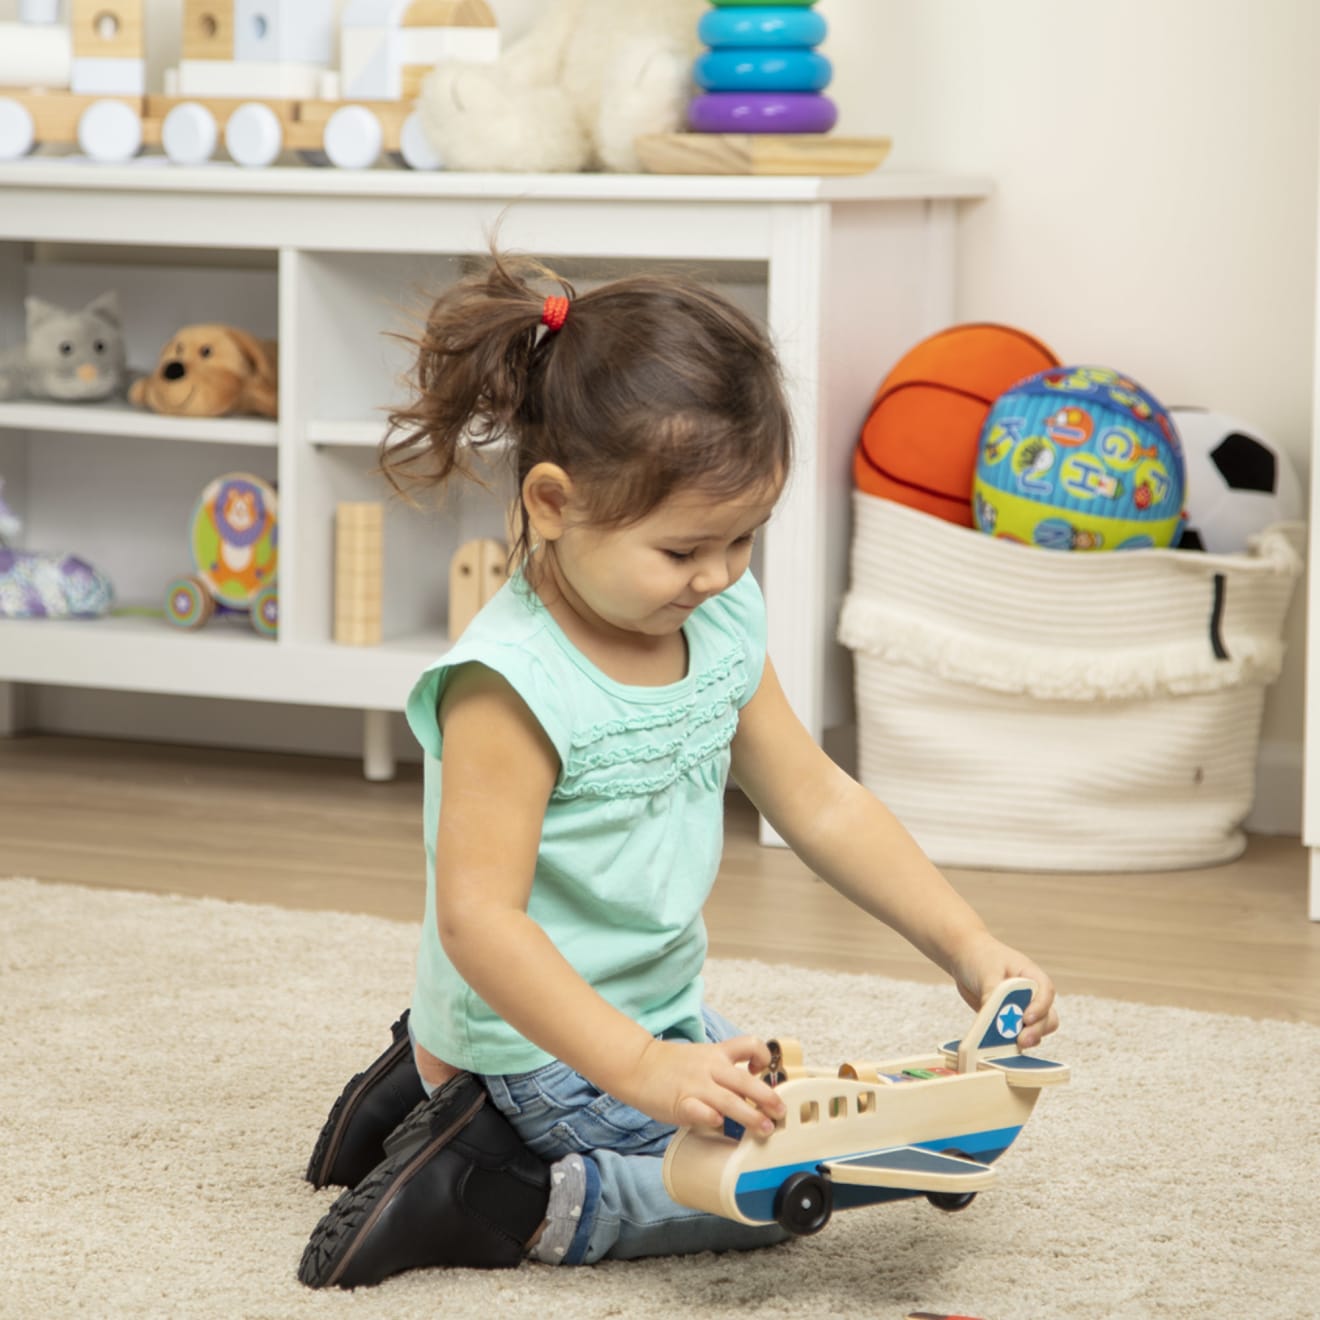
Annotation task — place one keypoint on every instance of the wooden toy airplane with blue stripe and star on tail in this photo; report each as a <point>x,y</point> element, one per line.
<point>873,1132</point>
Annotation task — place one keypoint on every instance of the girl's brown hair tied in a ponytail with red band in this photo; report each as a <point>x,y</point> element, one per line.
<point>653,385</point>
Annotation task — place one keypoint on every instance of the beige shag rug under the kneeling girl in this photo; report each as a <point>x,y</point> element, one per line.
<point>166,1065</point>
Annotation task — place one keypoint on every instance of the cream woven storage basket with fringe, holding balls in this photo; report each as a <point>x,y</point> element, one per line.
<point>1039,711</point>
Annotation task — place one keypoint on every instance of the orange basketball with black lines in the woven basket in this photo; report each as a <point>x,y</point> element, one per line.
<point>919,443</point>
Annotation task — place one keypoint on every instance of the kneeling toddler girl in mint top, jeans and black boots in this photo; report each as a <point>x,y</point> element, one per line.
<point>579,739</point>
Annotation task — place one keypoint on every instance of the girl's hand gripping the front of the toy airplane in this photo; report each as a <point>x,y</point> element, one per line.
<point>694,1086</point>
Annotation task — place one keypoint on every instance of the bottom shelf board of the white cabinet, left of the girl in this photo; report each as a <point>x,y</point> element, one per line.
<point>225,659</point>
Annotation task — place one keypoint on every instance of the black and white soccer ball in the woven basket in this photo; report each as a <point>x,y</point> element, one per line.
<point>1239,482</point>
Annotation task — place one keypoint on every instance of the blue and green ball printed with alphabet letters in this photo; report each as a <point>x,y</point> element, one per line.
<point>1080,459</point>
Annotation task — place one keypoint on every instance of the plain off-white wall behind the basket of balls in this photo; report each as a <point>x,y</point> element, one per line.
<point>1156,201</point>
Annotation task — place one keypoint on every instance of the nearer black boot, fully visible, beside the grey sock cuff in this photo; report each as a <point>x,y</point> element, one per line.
<point>456,1189</point>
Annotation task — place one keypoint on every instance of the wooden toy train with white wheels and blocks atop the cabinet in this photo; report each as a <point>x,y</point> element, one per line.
<point>265,76</point>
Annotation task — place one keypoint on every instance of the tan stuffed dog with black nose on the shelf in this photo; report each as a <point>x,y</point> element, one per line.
<point>212,372</point>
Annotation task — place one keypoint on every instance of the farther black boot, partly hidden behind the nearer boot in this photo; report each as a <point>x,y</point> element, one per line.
<point>369,1109</point>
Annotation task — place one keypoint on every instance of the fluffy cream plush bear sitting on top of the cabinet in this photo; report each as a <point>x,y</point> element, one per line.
<point>572,93</point>
